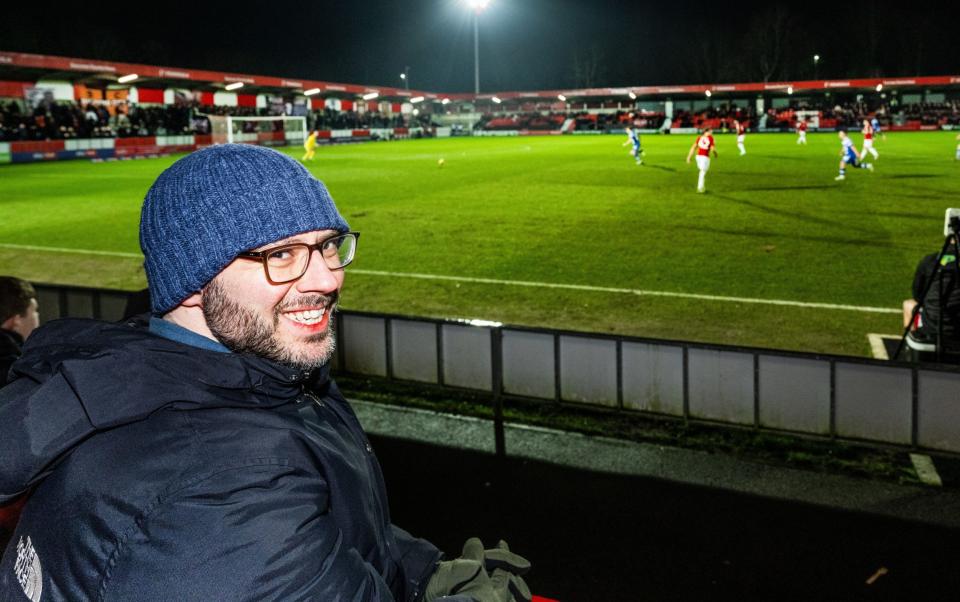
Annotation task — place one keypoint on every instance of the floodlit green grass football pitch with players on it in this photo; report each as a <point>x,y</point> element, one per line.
<point>566,232</point>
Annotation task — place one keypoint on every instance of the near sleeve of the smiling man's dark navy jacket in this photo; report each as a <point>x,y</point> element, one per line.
<point>255,533</point>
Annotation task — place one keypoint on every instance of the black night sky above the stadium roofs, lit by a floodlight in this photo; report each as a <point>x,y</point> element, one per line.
<point>524,44</point>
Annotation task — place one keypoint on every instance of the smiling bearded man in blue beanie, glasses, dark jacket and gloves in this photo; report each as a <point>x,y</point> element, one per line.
<point>205,453</point>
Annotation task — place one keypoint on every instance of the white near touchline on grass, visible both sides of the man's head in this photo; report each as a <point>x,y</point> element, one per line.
<point>572,287</point>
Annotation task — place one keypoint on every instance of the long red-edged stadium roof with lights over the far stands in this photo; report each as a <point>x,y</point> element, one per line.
<point>33,67</point>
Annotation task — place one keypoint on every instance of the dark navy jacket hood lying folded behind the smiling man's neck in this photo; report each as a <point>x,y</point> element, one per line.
<point>78,377</point>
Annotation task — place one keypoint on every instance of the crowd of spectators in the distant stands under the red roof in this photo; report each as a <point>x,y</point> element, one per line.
<point>65,120</point>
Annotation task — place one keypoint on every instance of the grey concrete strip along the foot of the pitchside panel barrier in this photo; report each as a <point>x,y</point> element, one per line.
<point>924,504</point>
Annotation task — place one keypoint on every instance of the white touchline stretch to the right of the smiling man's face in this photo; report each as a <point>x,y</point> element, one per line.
<point>631,291</point>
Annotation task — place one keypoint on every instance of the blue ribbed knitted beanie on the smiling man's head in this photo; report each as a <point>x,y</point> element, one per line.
<point>217,202</point>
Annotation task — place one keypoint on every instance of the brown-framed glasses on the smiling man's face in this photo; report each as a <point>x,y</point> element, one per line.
<point>287,263</point>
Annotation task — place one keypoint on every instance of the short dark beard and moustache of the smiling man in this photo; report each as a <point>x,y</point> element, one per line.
<point>243,331</point>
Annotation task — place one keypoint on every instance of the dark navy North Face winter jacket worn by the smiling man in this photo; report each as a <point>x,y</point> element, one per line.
<point>162,471</point>
